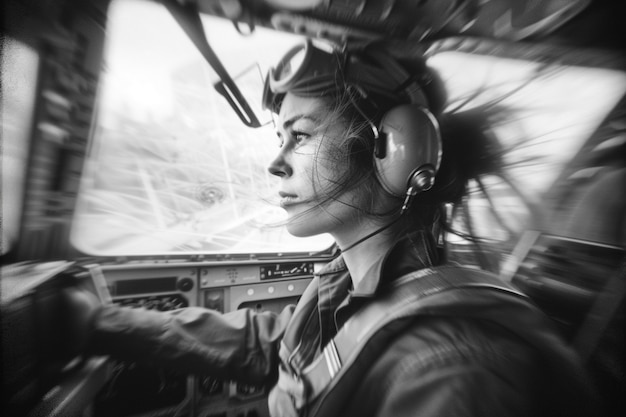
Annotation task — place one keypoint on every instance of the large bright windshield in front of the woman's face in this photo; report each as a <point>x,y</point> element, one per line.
<point>171,168</point>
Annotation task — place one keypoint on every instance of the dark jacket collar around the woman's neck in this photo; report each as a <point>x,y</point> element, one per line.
<point>415,250</point>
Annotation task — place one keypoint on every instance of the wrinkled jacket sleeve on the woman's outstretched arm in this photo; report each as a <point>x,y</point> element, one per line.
<point>240,345</point>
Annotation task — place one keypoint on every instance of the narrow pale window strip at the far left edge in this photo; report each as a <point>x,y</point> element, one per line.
<point>19,79</point>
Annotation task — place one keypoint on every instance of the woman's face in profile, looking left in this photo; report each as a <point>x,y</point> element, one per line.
<point>308,166</point>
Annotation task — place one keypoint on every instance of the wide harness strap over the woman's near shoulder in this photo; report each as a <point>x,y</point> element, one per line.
<point>407,297</point>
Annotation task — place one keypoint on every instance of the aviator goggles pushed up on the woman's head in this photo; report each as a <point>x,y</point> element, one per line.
<point>307,70</point>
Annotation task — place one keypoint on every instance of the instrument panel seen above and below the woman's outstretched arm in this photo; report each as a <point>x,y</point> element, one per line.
<point>224,287</point>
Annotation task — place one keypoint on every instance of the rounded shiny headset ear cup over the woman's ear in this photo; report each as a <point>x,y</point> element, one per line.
<point>412,147</point>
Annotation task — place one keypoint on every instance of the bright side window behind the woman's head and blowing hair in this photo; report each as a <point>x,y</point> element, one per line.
<point>551,112</point>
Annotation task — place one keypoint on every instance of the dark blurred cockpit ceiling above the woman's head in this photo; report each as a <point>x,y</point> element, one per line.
<point>576,23</point>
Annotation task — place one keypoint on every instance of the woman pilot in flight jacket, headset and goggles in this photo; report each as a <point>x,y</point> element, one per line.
<point>362,157</point>
